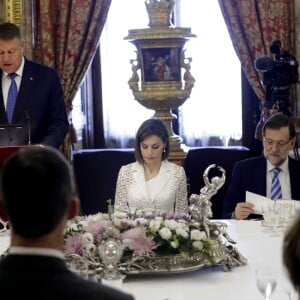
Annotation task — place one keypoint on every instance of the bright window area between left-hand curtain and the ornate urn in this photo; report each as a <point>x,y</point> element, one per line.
<point>122,114</point>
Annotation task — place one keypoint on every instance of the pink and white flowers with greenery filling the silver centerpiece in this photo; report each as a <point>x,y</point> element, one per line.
<point>146,238</point>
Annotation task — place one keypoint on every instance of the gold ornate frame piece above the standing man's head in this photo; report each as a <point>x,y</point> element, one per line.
<point>11,11</point>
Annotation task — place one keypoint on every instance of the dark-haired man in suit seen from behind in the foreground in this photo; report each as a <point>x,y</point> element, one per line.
<point>37,198</point>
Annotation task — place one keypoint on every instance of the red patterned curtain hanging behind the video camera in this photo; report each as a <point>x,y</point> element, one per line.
<point>253,26</point>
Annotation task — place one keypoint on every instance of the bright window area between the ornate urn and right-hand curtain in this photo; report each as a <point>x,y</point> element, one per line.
<point>214,108</point>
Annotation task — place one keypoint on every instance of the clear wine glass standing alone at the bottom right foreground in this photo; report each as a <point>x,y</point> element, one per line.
<point>266,281</point>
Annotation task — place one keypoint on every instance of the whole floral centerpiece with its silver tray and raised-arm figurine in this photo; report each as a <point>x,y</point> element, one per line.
<point>106,245</point>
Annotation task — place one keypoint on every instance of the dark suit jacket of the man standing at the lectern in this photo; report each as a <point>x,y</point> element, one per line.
<point>40,109</point>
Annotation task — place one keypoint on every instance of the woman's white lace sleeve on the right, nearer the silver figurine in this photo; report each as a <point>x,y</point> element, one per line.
<point>181,205</point>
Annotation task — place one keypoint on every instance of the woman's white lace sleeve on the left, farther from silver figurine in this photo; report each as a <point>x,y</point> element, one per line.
<point>121,190</point>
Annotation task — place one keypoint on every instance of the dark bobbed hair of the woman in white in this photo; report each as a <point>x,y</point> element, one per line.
<point>153,126</point>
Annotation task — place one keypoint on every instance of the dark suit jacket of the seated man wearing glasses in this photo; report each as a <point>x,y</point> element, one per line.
<point>250,175</point>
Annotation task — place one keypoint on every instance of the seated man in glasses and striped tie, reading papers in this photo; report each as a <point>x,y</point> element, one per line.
<point>255,174</point>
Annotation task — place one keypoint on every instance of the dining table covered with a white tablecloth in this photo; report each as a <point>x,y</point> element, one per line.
<point>259,246</point>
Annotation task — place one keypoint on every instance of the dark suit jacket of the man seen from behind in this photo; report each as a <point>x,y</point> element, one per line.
<point>42,278</point>
